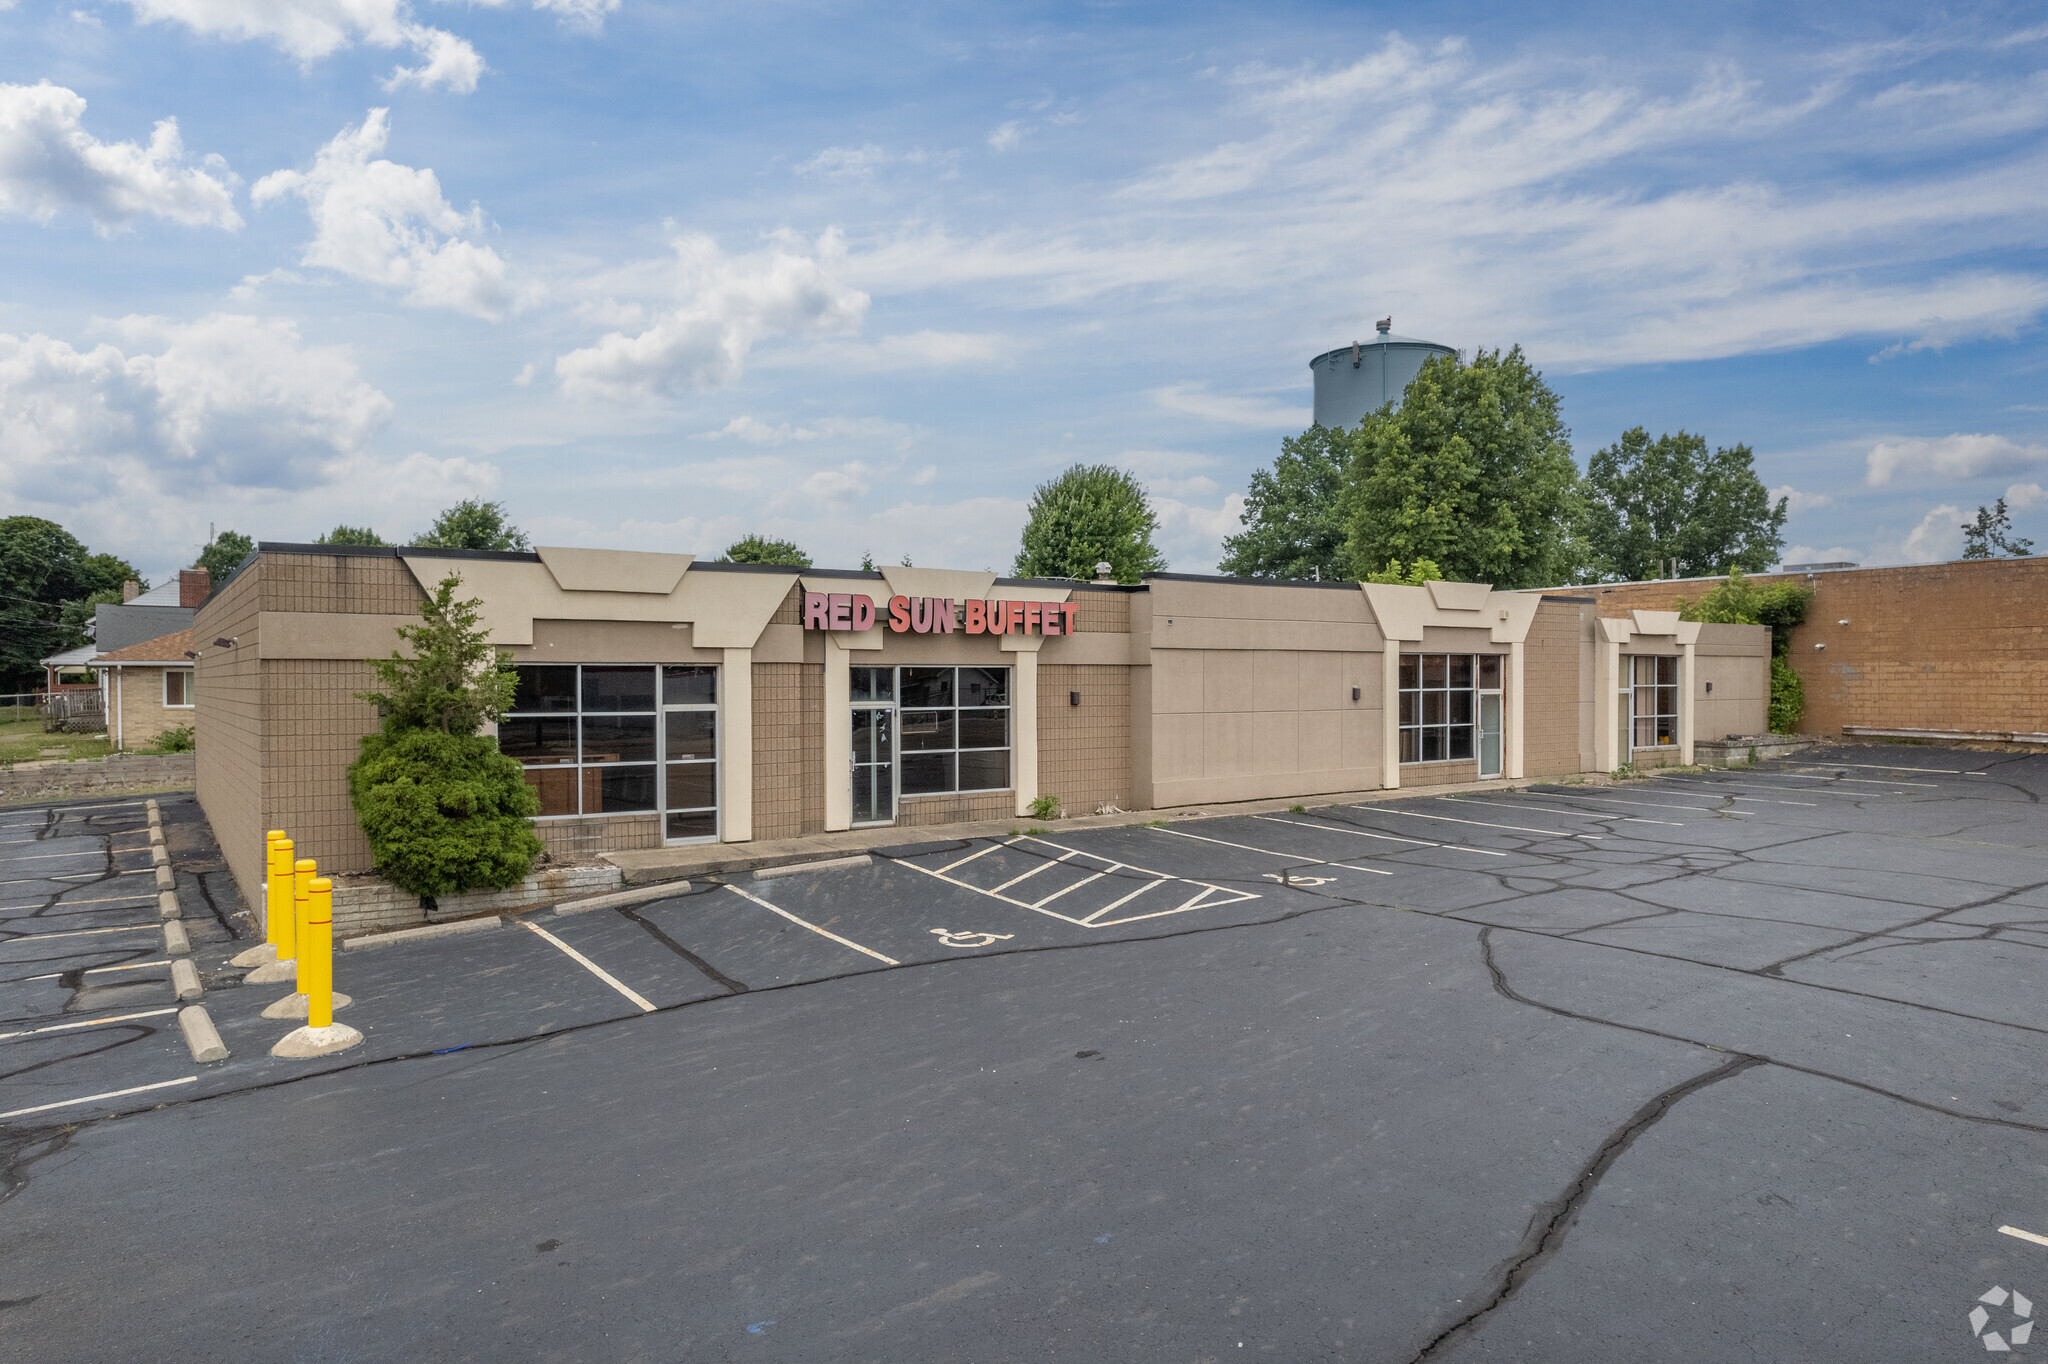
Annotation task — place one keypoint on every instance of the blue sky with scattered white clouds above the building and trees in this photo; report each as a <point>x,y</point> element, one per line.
<point>658,275</point>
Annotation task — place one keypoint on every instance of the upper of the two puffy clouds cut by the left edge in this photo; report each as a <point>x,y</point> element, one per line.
<point>50,163</point>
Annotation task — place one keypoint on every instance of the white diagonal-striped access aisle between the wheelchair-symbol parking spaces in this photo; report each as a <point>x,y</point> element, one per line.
<point>1074,886</point>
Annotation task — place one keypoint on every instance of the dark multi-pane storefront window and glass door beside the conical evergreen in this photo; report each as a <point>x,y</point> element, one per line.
<point>593,740</point>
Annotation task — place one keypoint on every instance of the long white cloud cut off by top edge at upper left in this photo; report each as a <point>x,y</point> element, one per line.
<point>312,30</point>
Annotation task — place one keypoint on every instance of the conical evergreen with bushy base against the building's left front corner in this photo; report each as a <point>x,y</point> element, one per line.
<point>443,810</point>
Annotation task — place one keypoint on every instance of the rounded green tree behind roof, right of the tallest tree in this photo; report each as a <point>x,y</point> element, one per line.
<point>1656,501</point>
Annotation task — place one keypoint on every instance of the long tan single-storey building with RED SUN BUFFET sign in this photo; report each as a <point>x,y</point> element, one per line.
<point>665,699</point>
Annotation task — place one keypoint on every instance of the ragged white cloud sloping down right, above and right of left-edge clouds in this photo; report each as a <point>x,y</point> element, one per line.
<point>388,224</point>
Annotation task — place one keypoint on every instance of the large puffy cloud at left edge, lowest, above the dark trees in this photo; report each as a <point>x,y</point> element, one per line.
<point>226,400</point>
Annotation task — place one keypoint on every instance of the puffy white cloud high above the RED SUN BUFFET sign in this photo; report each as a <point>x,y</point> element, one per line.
<point>722,308</point>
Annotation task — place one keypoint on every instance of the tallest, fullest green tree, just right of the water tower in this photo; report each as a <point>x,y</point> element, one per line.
<point>1471,472</point>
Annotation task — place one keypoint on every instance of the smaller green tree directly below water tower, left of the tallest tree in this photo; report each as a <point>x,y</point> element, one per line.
<point>1293,521</point>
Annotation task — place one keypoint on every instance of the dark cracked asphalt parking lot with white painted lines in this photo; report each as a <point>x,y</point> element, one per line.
<point>1738,1066</point>
